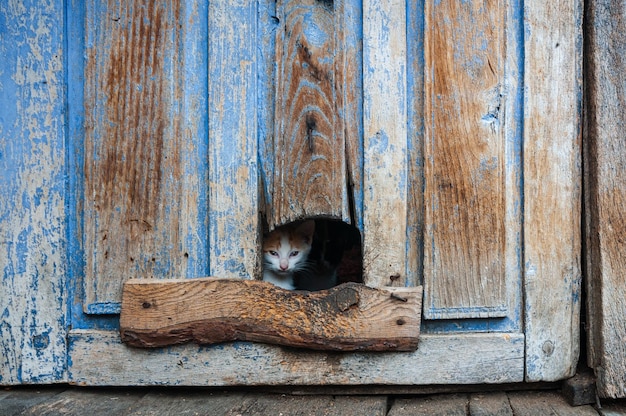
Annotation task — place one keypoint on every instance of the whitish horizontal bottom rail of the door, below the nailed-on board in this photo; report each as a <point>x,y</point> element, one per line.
<point>440,359</point>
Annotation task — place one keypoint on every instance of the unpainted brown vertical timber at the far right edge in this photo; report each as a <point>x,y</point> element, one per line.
<point>605,200</point>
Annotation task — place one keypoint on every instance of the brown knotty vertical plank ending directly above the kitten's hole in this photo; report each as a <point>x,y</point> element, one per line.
<point>309,139</point>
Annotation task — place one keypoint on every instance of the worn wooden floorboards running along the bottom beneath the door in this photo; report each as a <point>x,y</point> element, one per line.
<point>69,400</point>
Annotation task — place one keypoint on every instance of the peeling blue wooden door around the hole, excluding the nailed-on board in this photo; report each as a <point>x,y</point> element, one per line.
<point>447,132</point>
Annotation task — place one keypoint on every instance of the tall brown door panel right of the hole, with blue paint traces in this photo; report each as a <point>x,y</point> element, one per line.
<point>466,96</point>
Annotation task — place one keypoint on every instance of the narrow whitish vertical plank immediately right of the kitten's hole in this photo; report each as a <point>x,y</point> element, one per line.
<point>385,143</point>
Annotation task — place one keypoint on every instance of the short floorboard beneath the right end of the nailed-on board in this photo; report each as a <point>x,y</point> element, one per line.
<point>438,405</point>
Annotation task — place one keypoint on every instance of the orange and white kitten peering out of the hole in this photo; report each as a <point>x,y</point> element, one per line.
<point>286,251</point>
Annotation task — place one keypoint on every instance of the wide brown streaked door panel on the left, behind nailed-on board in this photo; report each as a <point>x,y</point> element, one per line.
<point>142,215</point>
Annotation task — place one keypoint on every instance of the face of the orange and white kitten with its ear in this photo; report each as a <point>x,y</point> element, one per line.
<point>286,249</point>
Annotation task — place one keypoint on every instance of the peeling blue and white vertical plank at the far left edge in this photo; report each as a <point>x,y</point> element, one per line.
<point>33,227</point>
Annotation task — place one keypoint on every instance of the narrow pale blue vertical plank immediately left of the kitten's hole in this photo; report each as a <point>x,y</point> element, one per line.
<point>233,175</point>
